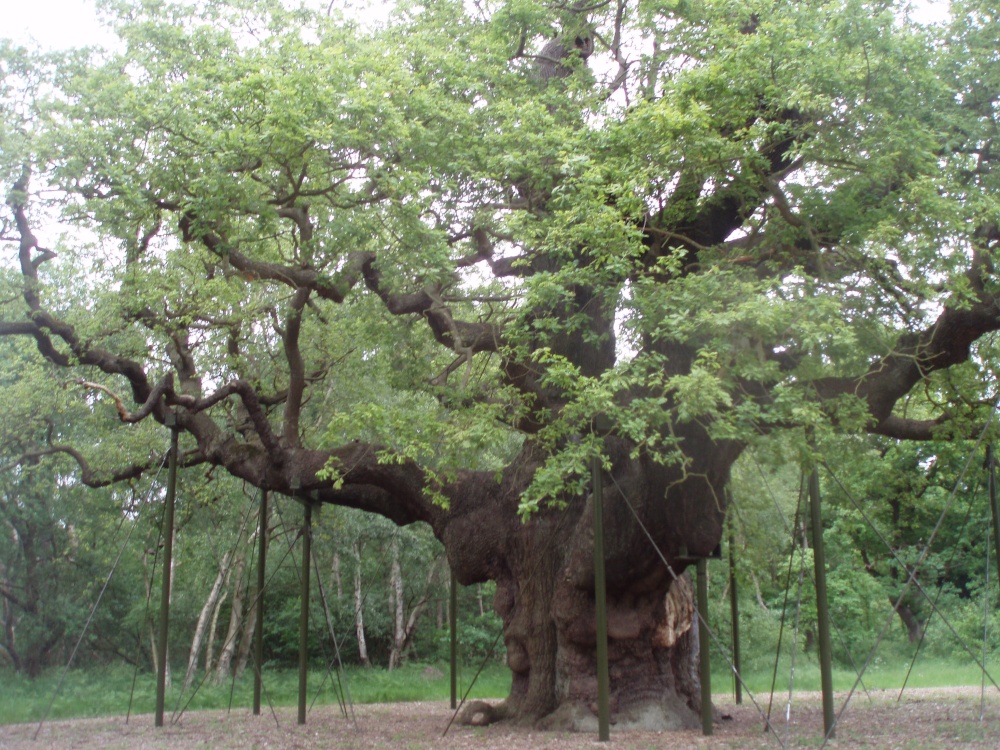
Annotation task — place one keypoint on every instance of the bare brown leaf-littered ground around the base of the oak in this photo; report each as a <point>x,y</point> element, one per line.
<point>928,718</point>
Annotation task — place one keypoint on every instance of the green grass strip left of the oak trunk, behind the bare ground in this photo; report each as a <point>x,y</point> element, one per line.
<point>106,691</point>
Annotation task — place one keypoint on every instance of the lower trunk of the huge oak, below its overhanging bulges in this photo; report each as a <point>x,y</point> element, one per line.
<point>550,634</point>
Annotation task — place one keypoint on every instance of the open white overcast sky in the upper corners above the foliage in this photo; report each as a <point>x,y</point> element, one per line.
<point>60,24</point>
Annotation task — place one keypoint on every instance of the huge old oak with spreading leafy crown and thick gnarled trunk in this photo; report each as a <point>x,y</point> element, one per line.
<point>404,263</point>
